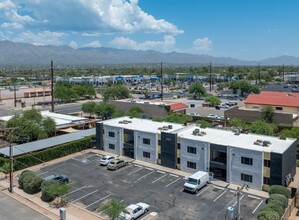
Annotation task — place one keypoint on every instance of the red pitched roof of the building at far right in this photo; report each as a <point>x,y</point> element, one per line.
<point>288,99</point>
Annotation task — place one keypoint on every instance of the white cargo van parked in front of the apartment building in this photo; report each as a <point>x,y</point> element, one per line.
<point>196,181</point>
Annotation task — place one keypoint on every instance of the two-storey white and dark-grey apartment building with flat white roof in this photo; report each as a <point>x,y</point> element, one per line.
<point>259,161</point>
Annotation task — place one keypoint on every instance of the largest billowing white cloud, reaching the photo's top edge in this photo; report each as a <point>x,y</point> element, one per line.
<point>93,15</point>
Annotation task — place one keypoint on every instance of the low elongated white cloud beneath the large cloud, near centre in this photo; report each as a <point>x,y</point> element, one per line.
<point>166,45</point>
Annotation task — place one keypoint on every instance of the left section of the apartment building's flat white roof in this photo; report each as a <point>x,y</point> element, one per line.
<point>145,125</point>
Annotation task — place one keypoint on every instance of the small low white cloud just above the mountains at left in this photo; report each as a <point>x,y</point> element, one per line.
<point>42,38</point>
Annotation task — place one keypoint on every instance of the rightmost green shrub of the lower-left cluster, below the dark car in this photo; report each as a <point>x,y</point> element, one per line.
<point>52,189</point>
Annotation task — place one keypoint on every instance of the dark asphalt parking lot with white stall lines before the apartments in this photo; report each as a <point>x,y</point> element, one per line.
<point>93,184</point>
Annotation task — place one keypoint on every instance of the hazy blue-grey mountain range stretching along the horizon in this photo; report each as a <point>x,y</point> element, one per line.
<point>27,54</point>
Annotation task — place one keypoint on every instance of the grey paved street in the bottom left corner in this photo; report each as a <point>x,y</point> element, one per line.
<point>11,209</point>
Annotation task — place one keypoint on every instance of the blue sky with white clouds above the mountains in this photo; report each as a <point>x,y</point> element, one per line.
<point>242,29</point>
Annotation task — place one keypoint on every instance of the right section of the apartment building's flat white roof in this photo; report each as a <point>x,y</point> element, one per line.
<point>245,141</point>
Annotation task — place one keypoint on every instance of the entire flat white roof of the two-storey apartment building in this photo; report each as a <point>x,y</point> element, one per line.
<point>215,136</point>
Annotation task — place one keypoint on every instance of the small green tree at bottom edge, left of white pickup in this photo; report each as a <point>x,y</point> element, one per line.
<point>112,208</point>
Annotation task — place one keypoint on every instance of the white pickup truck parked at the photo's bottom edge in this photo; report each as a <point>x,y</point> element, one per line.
<point>134,211</point>
